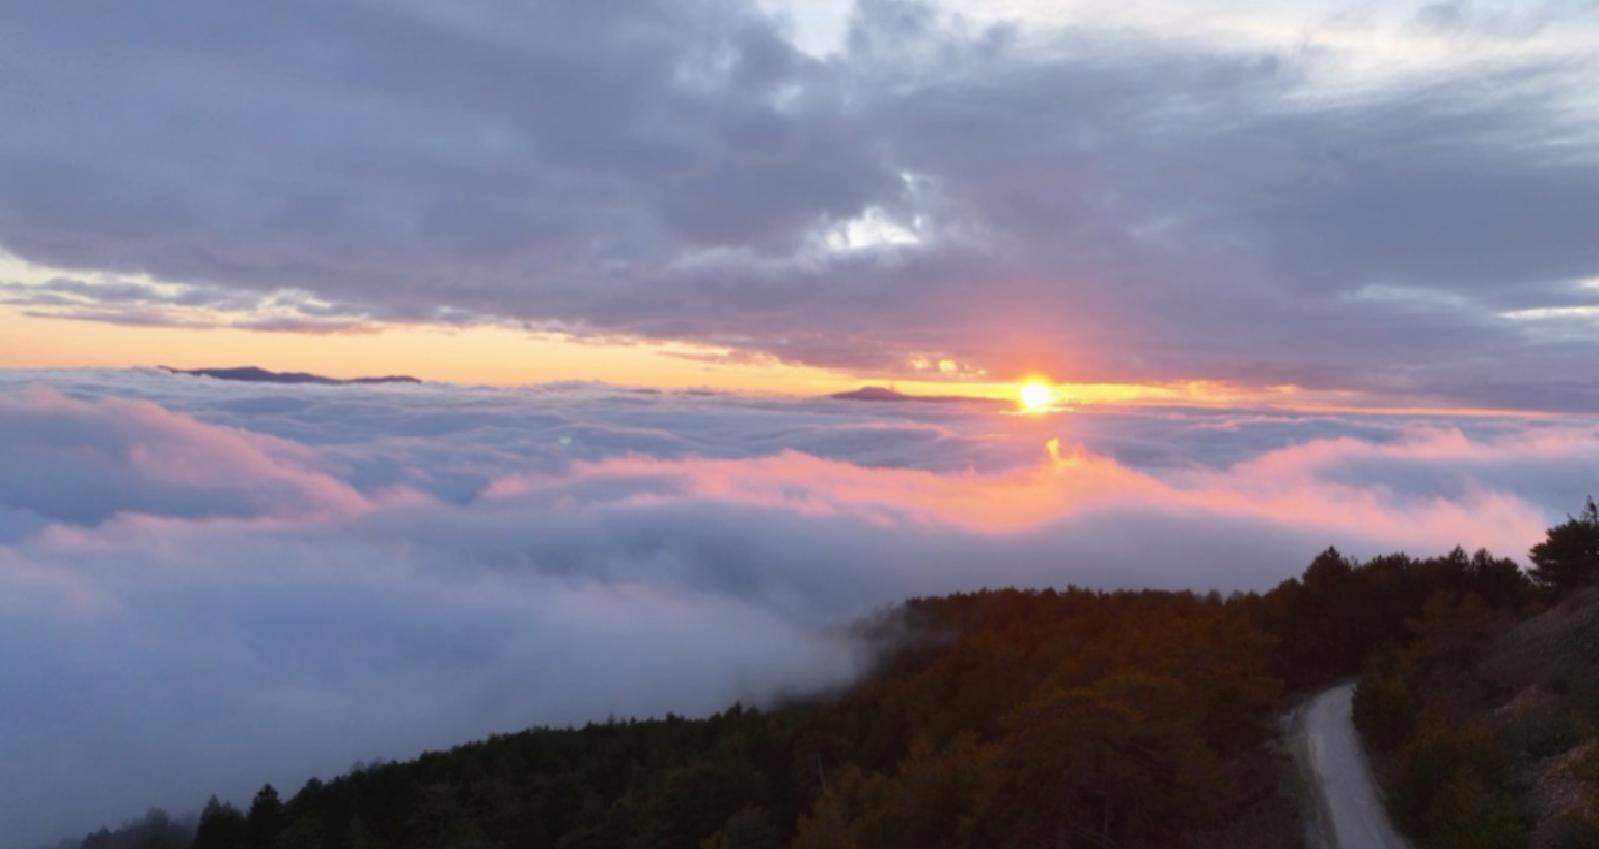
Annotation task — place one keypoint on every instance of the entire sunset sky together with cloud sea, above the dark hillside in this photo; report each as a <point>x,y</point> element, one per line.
<point>1283,274</point>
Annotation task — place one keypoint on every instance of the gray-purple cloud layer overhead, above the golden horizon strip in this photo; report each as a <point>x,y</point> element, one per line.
<point>1147,201</point>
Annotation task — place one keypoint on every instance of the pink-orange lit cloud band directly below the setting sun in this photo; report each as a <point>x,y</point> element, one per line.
<point>1302,487</point>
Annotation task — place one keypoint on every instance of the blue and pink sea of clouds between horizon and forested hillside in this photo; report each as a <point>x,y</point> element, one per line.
<point>205,586</point>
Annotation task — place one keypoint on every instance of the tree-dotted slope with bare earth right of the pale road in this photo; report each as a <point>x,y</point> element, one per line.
<point>1486,723</point>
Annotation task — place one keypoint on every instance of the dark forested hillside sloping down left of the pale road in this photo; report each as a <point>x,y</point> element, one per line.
<point>995,719</point>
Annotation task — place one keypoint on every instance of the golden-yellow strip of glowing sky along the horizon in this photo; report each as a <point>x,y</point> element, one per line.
<point>504,356</point>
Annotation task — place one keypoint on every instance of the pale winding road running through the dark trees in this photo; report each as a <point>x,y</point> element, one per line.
<point>1349,805</point>
